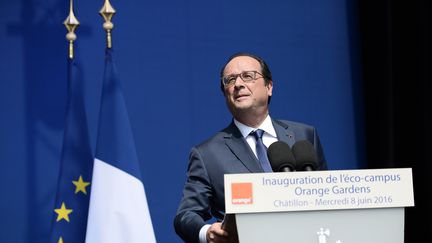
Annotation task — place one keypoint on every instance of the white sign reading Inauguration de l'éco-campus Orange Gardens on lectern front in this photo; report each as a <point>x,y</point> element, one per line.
<point>318,190</point>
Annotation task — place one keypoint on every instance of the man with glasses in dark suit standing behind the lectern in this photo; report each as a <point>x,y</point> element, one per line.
<point>247,86</point>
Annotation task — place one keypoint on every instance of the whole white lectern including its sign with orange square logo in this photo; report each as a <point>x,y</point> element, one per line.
<point>344,206</point>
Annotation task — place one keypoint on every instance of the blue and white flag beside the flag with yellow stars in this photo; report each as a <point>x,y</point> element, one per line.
<point>118,206</point>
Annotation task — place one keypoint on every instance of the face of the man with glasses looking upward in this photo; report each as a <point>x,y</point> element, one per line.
<point>246,96</point>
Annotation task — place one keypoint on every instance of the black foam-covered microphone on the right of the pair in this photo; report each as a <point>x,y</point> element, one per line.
<point>305,155</point>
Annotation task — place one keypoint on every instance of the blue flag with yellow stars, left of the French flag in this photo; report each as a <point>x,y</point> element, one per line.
<point>73,190</point>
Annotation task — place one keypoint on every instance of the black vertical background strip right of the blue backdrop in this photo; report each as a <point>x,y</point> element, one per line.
<point>396,61</point>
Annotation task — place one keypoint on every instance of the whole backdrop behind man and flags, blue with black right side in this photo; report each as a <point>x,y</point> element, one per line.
<point>326,73</point>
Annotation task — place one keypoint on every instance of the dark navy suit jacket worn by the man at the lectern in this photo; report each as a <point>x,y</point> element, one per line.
<point>227,152</point>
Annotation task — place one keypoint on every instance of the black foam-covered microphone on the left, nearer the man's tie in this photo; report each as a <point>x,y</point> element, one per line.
<point>281,158</point>
